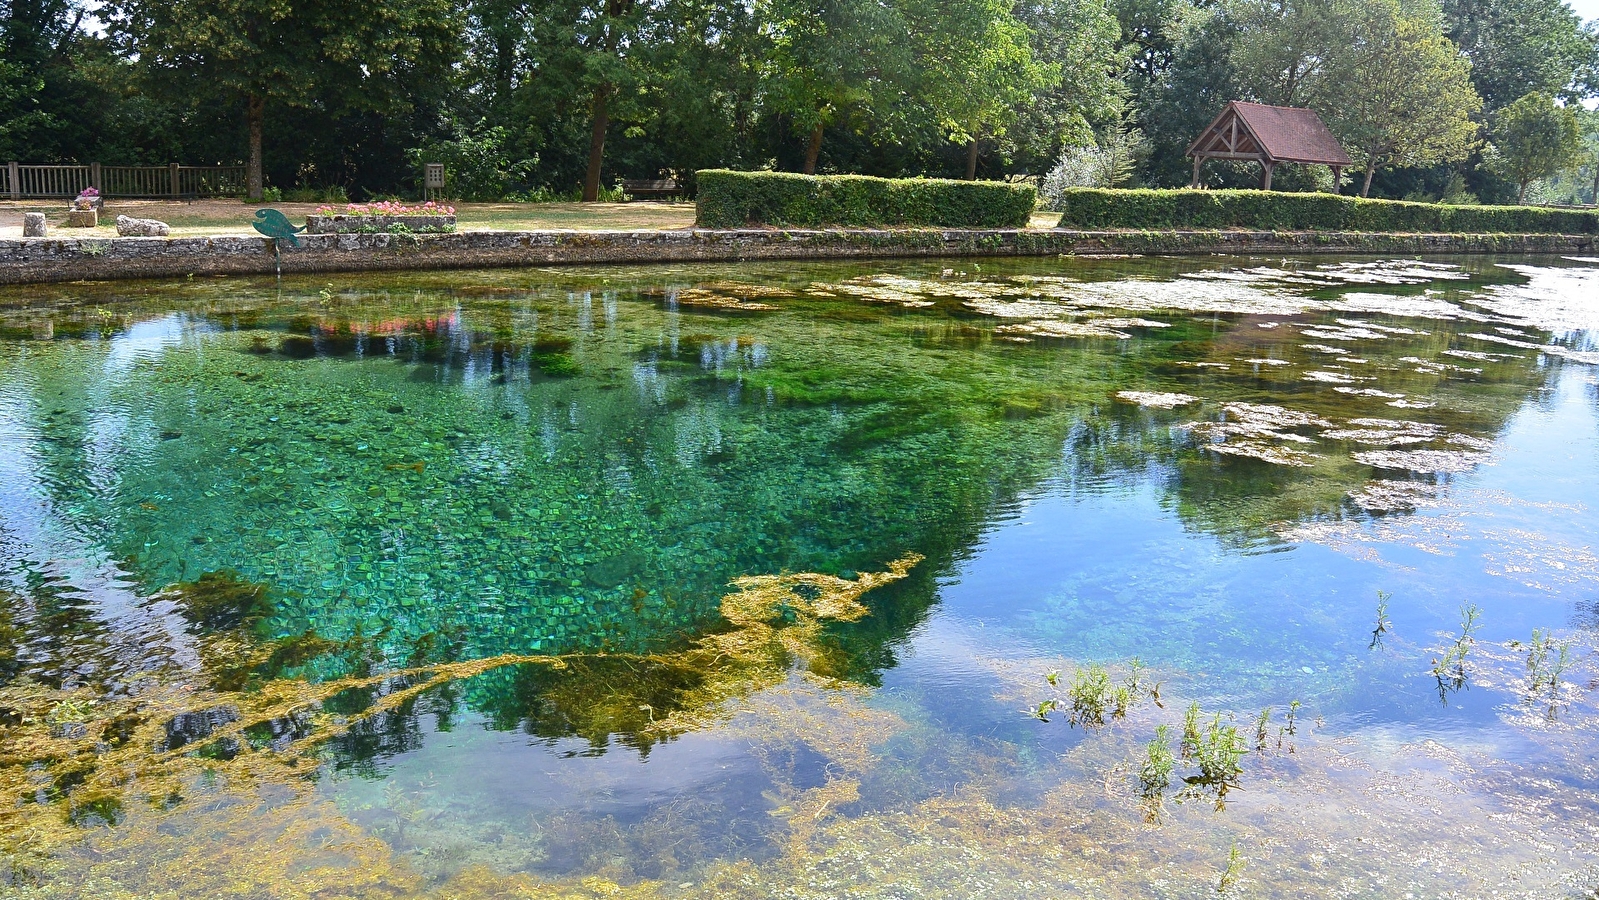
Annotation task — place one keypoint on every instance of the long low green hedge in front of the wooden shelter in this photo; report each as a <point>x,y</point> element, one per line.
<point>1186,209</point>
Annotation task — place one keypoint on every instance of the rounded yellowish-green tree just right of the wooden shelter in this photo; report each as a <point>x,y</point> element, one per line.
<point>1402,94</point>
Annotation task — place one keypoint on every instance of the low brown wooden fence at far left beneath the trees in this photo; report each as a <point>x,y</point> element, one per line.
<point>137,183</point>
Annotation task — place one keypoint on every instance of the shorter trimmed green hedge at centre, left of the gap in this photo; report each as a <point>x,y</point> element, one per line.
<point>732,201</point>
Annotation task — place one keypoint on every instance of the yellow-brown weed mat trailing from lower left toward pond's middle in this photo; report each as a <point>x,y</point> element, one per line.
<point>76,757</point>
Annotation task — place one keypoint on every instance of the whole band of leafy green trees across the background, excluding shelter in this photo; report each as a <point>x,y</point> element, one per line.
<point>565,98</point>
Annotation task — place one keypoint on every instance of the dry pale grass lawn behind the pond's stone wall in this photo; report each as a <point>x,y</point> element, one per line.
<point>234,218</point>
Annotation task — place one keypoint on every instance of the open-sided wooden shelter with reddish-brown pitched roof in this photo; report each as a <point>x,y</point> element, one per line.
<point>1269,135</point>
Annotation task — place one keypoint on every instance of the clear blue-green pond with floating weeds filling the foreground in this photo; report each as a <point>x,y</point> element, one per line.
<point>1104,578</point>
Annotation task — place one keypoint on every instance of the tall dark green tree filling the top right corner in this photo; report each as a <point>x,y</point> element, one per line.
<point>1518,47</point>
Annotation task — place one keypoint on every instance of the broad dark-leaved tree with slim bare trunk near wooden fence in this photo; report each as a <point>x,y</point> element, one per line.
<point>341,55</point>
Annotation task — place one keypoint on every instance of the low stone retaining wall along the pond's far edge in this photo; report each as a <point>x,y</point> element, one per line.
<point>31,261</point>
